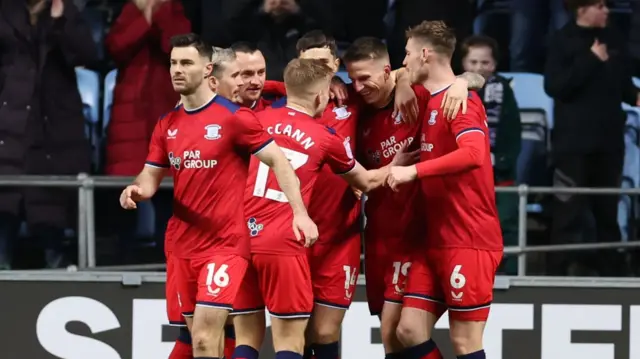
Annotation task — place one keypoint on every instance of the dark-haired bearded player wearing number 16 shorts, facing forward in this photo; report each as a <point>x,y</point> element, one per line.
<point>204,143</point>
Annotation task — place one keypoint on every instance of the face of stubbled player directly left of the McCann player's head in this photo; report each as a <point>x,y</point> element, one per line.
<point>253,73</point>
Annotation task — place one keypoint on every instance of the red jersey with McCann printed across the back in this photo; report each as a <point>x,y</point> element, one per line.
<point>309,146</point>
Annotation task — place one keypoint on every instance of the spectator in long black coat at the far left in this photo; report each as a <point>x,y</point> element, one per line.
<point>41,117</point>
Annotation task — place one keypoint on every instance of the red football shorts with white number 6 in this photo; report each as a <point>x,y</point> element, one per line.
<point>458,279</point>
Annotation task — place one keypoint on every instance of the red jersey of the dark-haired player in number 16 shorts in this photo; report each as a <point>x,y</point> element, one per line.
<point>207,151</point>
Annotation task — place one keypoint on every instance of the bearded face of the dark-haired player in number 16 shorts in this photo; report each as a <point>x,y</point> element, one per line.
<point>188,69</point>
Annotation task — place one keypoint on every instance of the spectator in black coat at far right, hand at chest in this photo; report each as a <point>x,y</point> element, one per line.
<point>588,75</point>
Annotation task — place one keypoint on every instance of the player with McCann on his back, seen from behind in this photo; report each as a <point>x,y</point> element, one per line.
<point>280,277</point>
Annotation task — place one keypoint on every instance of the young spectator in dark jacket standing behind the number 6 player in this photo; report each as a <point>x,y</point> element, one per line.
<point>480,55</point>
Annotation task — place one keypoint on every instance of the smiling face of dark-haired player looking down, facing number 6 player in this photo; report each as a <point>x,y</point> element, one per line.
<point>370,79</point>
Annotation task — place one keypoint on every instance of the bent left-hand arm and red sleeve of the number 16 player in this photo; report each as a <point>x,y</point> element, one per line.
<point>147,182</point>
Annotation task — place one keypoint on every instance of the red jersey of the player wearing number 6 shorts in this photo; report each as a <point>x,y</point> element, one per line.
<point>460,208</point>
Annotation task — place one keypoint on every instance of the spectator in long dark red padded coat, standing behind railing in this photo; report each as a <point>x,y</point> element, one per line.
<point>139,44</point>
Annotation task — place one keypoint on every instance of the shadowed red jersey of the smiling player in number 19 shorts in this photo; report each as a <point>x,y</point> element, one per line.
<point>380,137</point>
